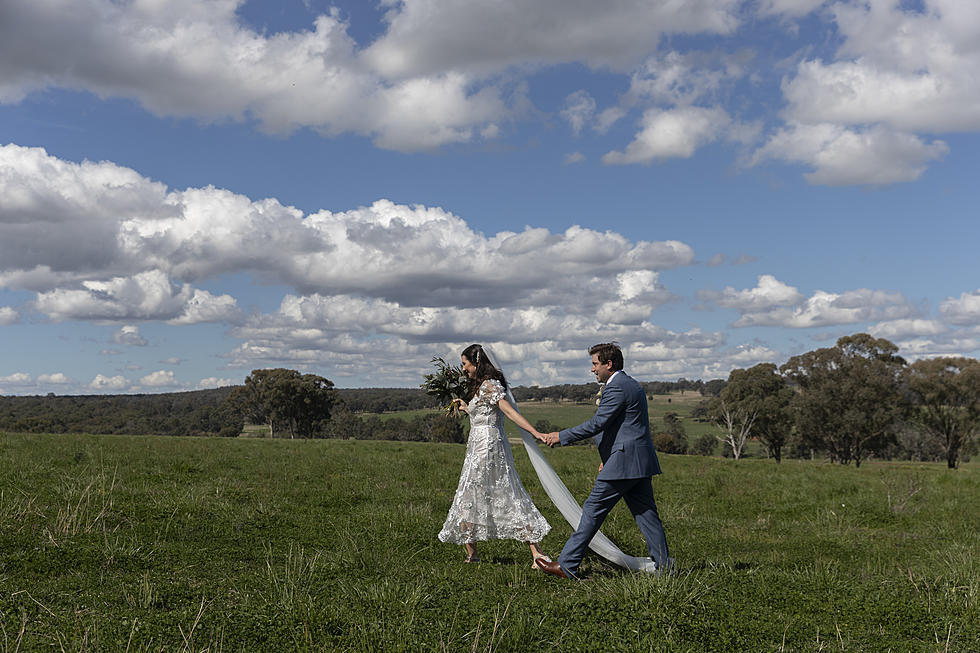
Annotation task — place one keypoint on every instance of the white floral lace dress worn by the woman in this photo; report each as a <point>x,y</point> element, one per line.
<point>490,502</point>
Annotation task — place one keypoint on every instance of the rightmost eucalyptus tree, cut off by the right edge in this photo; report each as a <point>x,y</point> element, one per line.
<point>945,395</point>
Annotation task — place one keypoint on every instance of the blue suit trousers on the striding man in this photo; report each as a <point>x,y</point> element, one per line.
<point>638,493</point>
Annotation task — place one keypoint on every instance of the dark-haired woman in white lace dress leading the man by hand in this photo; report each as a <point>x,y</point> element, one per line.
<point>490,501</point>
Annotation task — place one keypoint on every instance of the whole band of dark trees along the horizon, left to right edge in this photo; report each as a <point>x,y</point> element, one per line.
<point>846,403</point>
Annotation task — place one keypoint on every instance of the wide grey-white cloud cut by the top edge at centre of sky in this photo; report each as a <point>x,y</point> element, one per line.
<point>486,37</point>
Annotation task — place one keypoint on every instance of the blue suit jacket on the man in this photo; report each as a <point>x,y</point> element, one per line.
<point>621,430</point>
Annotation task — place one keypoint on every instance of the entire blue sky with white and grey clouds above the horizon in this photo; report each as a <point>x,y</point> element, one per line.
<point>194,189</point>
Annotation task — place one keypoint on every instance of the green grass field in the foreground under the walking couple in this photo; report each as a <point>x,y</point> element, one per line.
<point>118,543</point>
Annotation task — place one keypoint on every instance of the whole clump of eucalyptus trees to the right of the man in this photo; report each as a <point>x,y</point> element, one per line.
<point>853,401</point>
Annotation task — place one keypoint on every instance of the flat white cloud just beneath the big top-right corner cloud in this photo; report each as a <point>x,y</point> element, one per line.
<point>844,157</point>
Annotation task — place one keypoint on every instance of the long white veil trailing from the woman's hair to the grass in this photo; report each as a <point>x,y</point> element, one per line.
<point>563,499</point>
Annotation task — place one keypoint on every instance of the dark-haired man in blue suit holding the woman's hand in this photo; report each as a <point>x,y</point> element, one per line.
<point>621,430</point>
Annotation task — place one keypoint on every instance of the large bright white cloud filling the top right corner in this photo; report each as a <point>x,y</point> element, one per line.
<point>911,70</point>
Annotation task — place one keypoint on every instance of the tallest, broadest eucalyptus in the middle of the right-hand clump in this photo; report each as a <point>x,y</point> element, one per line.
<point>848,400</point>
